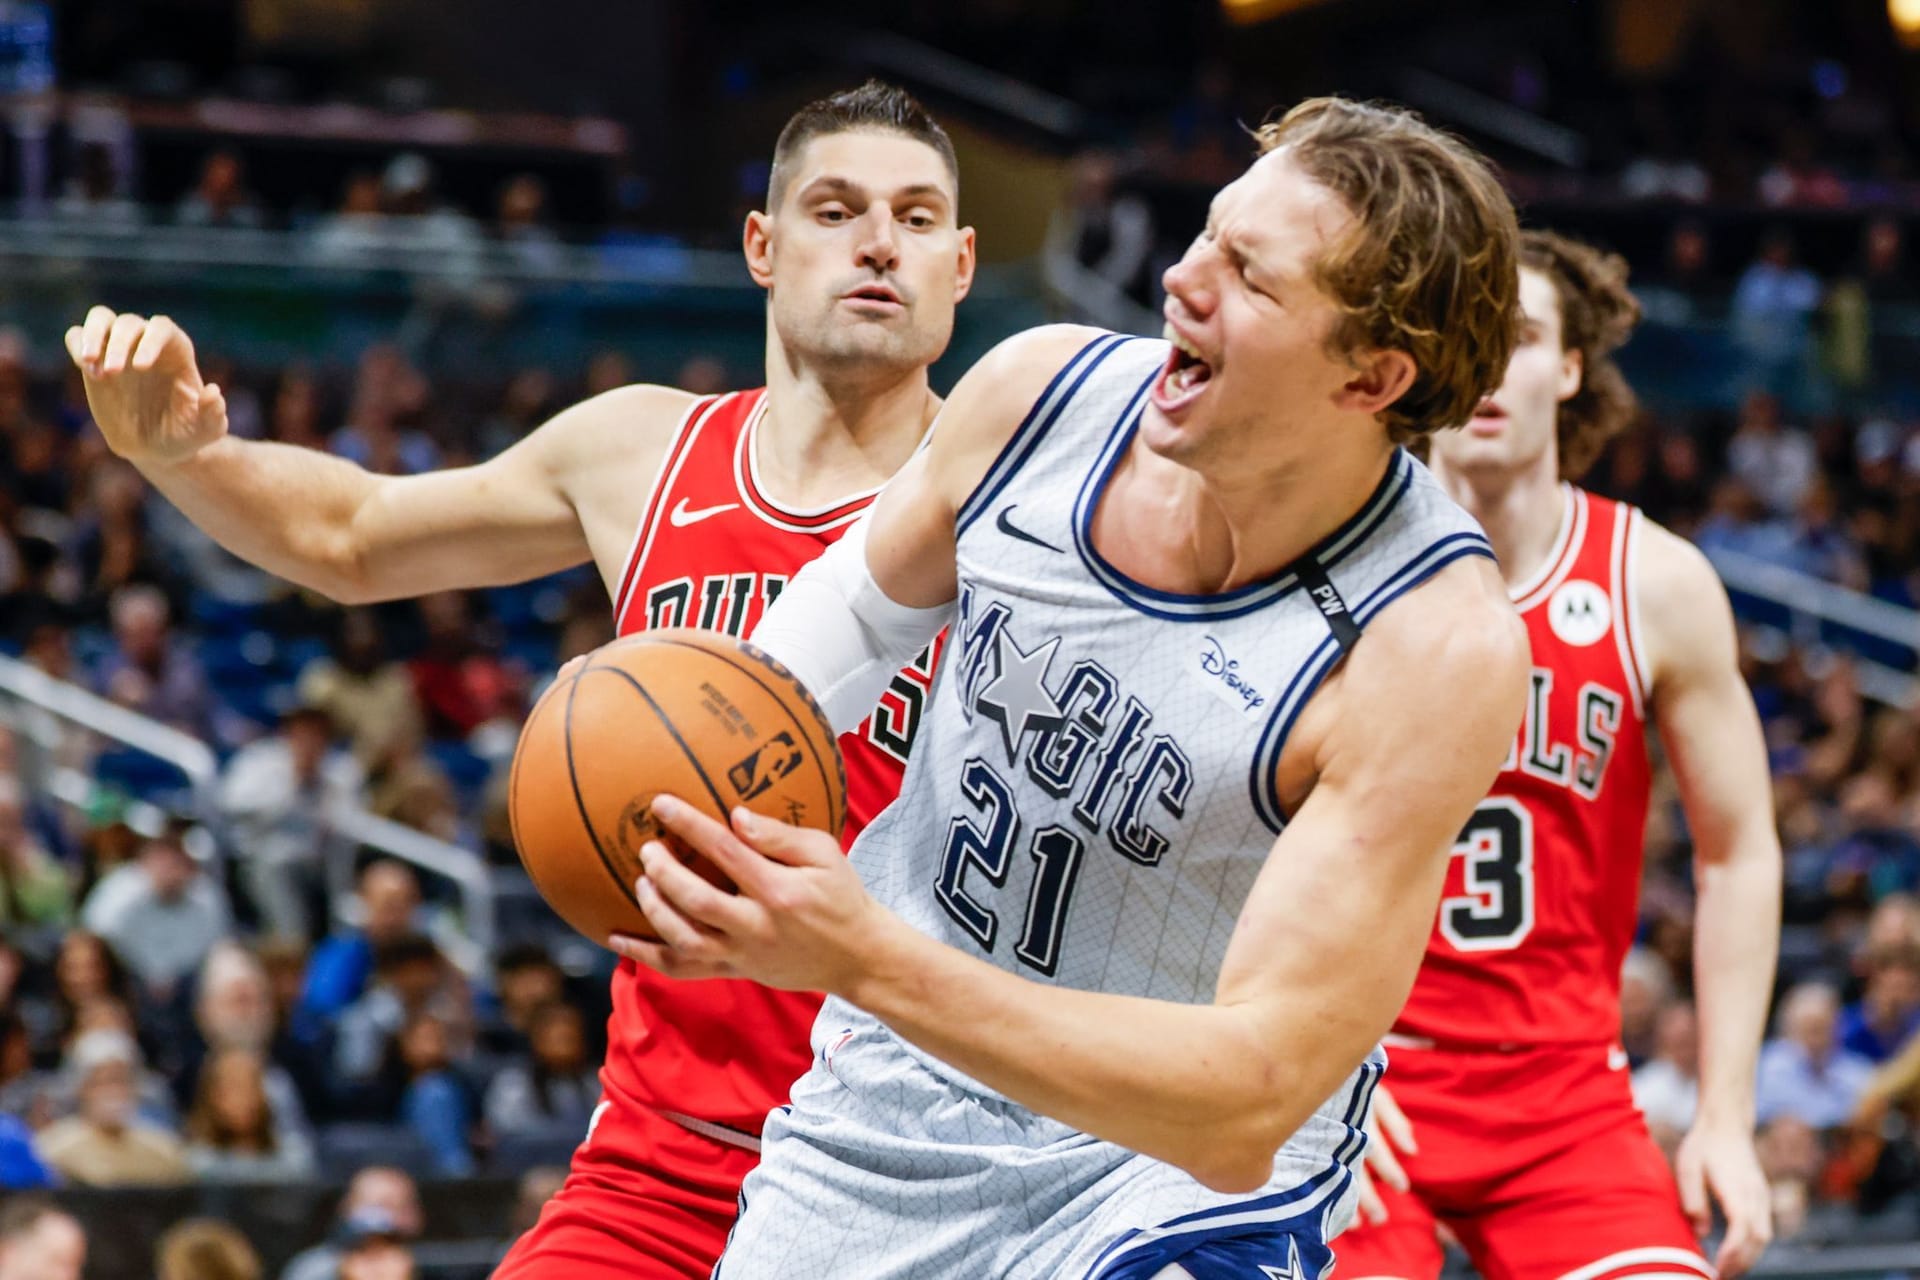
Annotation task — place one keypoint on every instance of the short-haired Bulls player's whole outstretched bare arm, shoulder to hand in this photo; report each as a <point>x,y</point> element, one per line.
<point>325,523</point>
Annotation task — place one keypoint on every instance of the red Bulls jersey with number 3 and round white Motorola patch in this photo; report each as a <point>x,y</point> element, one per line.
<point>1545,886</point>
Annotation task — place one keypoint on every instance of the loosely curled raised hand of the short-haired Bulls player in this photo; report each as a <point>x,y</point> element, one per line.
<point>145,389</point>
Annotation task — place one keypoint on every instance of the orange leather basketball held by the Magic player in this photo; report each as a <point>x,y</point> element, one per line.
<point>694,715</point>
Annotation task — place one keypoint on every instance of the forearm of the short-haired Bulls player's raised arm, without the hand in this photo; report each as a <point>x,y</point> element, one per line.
<point>285,510</point>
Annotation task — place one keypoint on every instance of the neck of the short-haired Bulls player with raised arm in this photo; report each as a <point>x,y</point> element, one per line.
<point>827,439</point>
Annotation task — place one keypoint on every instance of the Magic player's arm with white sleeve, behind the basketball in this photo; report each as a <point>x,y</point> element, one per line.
<point>852,619</point>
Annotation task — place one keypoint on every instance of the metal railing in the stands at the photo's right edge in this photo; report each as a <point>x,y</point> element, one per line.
<point>1883,638</point>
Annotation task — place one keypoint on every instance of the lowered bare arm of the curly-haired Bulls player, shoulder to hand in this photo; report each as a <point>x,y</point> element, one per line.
<point>1719,757</point>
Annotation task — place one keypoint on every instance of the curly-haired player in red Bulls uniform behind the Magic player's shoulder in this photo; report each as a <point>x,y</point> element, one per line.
<point>1510,1095</point>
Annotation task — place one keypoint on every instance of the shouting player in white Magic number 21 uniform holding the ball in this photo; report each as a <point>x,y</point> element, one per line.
<point>1228,673</point>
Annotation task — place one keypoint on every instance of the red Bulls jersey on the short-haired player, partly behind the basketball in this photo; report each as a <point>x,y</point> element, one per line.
<point>713,552</point>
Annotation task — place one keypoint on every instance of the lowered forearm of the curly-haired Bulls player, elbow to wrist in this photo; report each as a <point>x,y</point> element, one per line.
<point>1737,943</point>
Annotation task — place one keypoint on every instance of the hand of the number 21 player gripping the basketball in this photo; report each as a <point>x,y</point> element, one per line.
<point>798,920</point>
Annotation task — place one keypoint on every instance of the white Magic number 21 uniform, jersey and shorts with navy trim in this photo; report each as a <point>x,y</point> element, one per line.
<point>1090,803</point>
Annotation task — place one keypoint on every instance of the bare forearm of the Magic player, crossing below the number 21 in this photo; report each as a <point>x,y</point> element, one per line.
<point>1197,1087</point>
